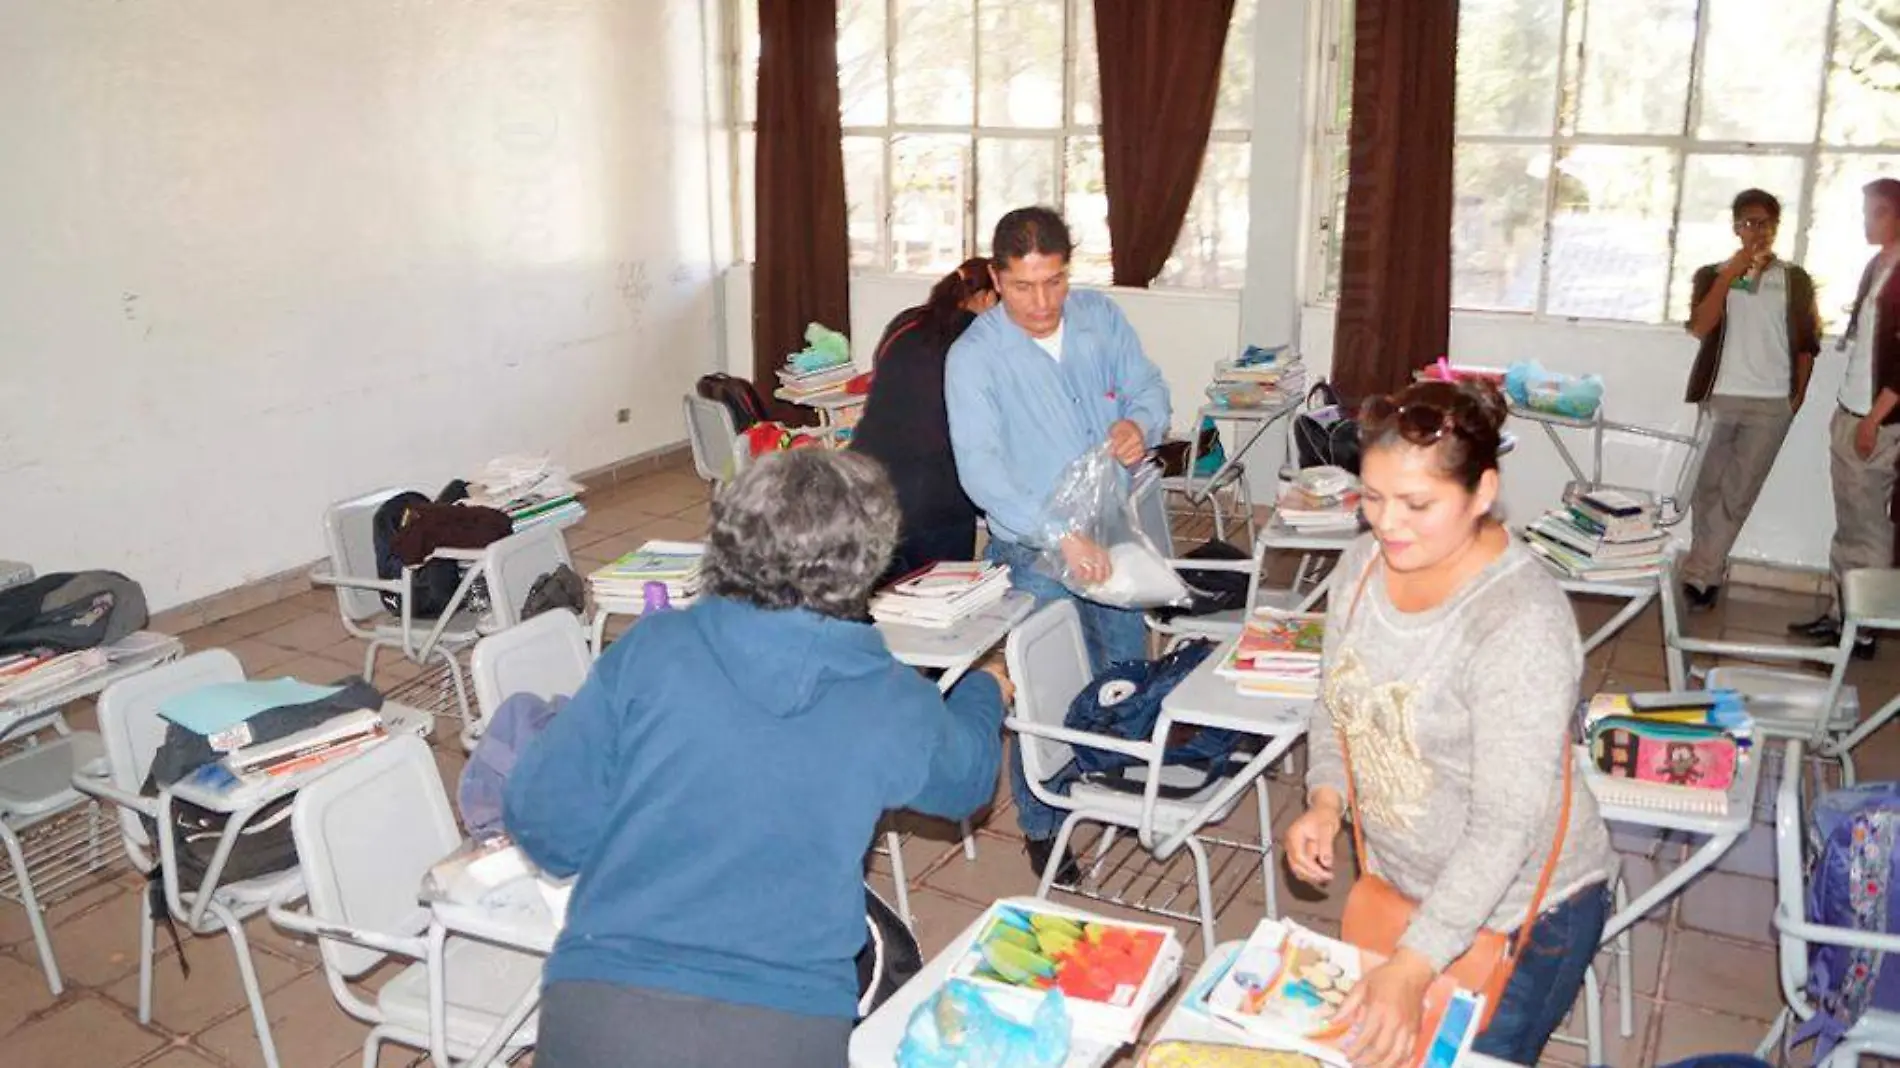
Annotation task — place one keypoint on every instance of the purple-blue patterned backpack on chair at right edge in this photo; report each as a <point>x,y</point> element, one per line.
<point>1850,885</point>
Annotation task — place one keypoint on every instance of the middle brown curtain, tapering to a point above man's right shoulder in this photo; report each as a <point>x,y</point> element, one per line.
<point>1160,77</point>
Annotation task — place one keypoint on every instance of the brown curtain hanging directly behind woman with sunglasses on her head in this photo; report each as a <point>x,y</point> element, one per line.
<point>1396,275</point>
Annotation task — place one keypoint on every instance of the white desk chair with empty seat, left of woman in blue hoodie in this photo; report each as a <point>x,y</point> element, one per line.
<point>366,835</point>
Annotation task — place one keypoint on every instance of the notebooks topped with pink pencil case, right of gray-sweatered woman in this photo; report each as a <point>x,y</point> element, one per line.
<point>1667,752</point>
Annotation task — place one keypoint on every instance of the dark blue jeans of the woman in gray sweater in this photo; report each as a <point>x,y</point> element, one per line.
<point>1546,983</point>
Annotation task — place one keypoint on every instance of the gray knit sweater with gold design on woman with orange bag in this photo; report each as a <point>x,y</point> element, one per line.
<point>1458,721</point>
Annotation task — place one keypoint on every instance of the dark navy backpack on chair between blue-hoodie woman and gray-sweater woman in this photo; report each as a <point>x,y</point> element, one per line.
<point>1126,702</point>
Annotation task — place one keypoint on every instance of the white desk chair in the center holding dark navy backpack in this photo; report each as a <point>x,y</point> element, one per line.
<point>1050,664</point>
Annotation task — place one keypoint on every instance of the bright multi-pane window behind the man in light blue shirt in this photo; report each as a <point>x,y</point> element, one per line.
<point>959,111</point>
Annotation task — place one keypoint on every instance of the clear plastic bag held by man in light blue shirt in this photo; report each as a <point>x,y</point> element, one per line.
<point>1093,501</point>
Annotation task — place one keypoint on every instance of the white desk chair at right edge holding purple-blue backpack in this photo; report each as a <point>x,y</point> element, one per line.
<point>1876,1033</point>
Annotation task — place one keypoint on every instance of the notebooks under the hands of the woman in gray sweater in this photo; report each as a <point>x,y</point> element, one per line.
<point>1287,985</point>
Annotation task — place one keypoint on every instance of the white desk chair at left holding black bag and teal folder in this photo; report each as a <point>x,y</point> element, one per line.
<point>134,731</point>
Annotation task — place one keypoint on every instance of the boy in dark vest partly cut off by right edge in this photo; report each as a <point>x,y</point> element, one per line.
<point>1865,434</point>
